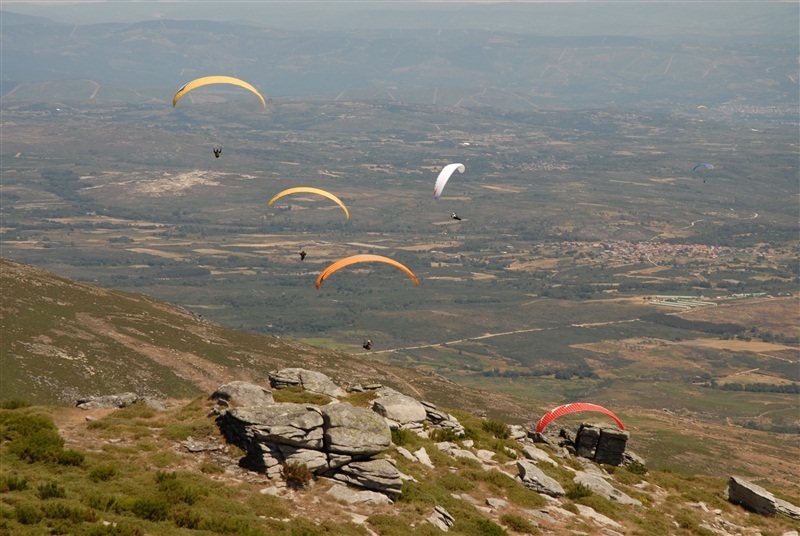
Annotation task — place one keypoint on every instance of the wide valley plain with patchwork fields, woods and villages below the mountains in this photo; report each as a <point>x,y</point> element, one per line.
<point>575,227</point>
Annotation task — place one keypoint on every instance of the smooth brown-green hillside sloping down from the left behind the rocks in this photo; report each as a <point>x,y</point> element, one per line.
<point>63,340</point>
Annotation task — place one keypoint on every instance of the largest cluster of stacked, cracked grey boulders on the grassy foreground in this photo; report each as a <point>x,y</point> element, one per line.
<point>336,440</point>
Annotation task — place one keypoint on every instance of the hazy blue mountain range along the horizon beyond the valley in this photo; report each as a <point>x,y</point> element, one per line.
<point>492,67</point>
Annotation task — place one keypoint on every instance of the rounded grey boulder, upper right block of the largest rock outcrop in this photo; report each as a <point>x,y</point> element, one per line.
<point>354,431</point>
